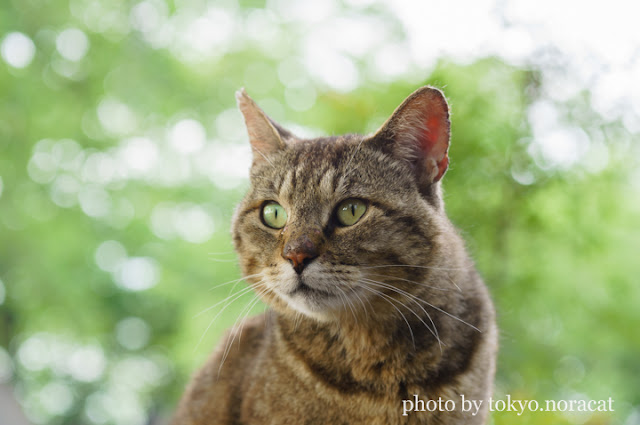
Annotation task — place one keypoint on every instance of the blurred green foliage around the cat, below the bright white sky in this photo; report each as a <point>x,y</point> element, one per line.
<point>556,244</point>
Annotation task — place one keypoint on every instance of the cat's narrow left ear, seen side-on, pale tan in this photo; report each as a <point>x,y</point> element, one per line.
<point>265,136</point>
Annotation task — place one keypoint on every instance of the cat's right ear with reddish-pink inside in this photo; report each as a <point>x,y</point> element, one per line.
<point>418,132</point>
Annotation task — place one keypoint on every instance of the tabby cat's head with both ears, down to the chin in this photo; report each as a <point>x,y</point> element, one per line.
<point>330,224</point>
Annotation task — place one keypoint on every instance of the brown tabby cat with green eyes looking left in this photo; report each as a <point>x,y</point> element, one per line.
<point>374,302</point>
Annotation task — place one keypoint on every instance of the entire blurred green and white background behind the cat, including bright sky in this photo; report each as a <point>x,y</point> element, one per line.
<point>122,156</point>
